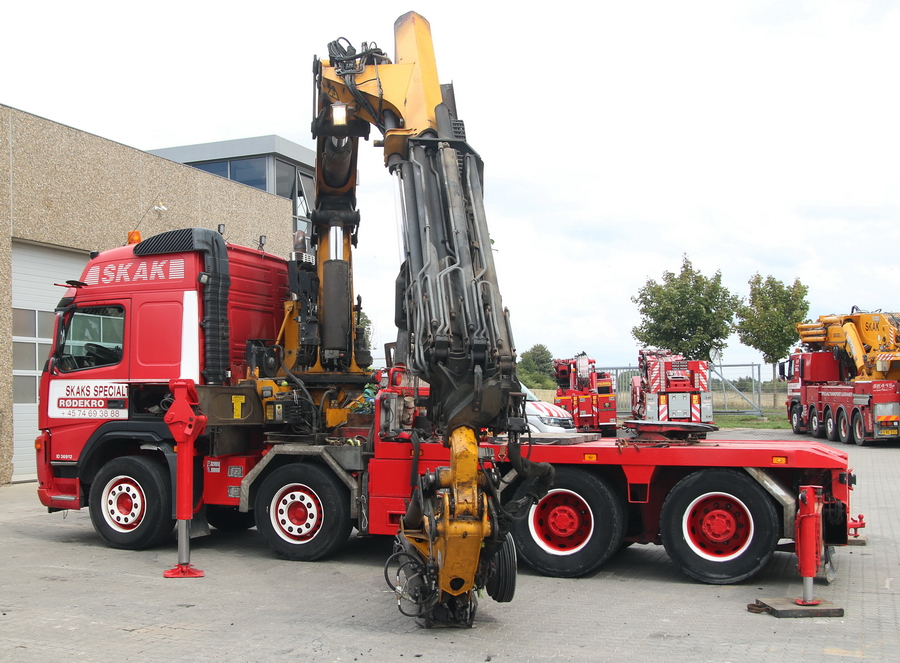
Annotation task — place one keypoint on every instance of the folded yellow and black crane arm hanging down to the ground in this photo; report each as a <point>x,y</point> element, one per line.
<point>453,331</point>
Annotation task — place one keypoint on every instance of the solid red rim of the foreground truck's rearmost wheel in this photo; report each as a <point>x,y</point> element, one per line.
<point>718,526</point>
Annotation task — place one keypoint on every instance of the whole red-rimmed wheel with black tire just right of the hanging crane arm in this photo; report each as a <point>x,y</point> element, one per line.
<point>574,528</point>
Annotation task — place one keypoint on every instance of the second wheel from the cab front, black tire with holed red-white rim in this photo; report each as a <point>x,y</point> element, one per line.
<point>303,512</point>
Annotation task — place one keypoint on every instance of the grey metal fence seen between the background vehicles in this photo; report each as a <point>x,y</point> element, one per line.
<point>736,388</point>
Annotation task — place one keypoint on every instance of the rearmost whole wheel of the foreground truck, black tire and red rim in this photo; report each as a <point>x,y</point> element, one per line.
<point>719,526</point>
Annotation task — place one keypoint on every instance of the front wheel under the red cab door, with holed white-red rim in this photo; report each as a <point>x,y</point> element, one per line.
<point>131,503</point>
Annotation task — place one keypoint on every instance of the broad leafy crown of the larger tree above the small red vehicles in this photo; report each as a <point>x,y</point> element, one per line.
<point>687,313</point>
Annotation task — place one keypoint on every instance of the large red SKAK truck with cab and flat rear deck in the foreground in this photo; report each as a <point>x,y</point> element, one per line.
<point>142,316</point>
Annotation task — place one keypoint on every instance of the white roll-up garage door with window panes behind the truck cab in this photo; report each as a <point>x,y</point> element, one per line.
<point>35,269</point>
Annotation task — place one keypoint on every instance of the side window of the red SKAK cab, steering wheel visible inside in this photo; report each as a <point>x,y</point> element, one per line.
<point>93,337</point>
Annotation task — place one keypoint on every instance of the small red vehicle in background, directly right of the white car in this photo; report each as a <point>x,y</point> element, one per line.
<point>587,394</point>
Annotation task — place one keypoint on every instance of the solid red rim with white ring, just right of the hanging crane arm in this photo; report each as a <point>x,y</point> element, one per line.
<point>561,523</point>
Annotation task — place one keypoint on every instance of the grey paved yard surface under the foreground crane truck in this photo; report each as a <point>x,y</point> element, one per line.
<point>64,596</point>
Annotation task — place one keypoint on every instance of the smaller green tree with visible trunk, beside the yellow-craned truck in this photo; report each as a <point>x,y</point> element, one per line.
<point>768,321</point>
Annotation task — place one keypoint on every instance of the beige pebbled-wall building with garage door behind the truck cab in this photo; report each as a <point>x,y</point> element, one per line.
<point>64,193</point>
